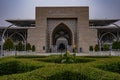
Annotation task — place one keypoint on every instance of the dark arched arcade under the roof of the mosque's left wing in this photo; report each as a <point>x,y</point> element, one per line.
<point>17,35</point>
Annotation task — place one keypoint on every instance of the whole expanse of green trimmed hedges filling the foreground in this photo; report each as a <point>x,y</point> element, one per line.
<point>51,68</point>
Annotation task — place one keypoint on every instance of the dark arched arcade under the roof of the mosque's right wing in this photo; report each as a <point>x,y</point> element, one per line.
<point>108,36</point>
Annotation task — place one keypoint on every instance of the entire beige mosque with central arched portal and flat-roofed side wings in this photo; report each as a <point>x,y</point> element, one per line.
<point>57,29</point>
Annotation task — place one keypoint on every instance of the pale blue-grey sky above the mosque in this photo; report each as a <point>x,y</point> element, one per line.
<point>25,9</point>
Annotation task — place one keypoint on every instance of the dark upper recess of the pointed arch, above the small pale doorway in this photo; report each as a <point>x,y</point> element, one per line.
<point>62,30</point>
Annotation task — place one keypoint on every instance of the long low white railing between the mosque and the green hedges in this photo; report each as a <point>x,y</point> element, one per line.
<point>100,53</point>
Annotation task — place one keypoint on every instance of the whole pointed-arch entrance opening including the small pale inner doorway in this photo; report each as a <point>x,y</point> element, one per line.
<point>61,38</point>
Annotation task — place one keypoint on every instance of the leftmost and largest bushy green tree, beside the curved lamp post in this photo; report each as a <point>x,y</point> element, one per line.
<point>8,45</point>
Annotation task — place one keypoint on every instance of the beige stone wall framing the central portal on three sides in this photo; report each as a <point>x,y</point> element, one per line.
<point>86,36</point>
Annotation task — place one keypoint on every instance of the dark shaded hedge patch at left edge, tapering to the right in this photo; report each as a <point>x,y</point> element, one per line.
<point>15,66</point>
